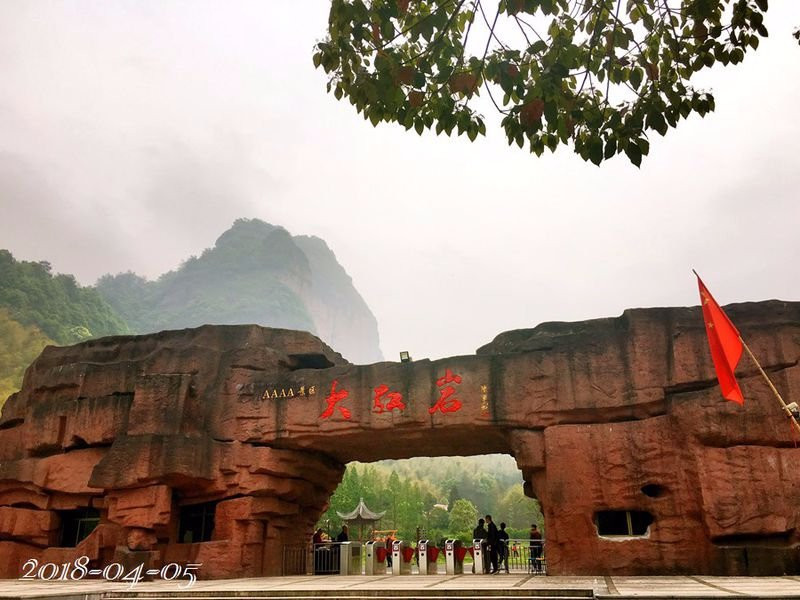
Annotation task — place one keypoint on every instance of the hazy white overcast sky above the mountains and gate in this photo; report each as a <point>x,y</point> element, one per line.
<point>132,133</point>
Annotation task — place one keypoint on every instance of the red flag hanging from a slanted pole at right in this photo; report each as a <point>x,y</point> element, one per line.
<point>725,344</point>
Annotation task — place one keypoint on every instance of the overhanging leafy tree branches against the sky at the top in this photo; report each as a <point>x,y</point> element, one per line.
<point>599,75</point>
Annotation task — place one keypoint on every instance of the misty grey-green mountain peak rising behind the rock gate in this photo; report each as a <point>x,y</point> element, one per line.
<point>256,273</point>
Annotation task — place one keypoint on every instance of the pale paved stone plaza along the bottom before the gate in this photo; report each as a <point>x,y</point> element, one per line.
<point>414,586</point>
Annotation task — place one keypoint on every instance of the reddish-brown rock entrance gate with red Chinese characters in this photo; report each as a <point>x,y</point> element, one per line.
<point>619,414</point>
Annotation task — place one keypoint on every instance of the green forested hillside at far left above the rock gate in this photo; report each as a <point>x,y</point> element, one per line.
<point>38,308</point>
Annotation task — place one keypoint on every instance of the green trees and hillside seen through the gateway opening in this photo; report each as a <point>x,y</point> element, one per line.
<point>415,492</point>
